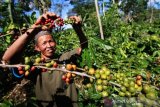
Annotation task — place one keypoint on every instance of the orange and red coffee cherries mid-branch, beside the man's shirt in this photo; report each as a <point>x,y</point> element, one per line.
<point>69,76</point>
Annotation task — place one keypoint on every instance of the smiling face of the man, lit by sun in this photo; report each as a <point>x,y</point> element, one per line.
<point>46,45</point>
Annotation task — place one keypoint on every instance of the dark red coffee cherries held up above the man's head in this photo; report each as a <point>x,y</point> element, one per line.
<point>51,22</point>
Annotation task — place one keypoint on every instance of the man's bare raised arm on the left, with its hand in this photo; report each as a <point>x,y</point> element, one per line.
<point>20,43</point>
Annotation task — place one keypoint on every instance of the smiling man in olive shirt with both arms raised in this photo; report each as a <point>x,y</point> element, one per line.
<point>49,87</point>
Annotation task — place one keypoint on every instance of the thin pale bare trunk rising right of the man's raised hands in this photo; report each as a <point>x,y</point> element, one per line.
<point>99,20</point>
